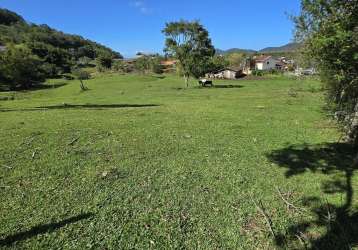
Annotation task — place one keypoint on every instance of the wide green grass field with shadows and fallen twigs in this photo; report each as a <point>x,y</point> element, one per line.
<point>140,162</point>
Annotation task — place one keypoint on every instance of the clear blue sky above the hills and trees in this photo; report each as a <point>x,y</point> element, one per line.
<point>129,26</point>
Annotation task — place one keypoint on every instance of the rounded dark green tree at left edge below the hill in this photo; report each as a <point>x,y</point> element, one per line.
<point>19,67</point>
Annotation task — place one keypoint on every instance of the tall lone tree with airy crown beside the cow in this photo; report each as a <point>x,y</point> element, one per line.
<point>190,44</point>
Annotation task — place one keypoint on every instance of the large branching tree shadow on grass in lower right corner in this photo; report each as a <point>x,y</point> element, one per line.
<point>340,222</point>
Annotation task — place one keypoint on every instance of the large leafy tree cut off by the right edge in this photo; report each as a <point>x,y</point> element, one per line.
<point>329,31</point>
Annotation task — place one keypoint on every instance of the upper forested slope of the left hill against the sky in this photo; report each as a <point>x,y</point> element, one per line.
<point>54,47</point>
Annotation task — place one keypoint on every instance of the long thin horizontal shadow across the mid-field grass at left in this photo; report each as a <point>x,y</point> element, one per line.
<point>83,106</point>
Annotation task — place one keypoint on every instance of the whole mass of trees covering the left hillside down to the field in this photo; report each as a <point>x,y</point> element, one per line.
<point>47,51</point>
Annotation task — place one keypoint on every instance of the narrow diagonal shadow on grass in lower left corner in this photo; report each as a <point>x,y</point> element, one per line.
<point>42,229</point>
